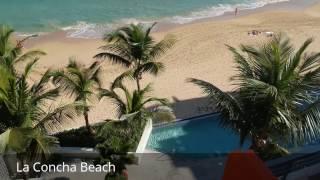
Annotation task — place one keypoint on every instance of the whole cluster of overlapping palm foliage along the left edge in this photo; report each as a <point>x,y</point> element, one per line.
<point>26,106</point>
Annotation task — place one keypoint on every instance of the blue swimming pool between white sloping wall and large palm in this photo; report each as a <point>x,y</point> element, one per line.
<point>199,135</point>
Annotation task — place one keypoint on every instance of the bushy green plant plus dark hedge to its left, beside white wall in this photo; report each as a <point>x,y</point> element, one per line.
<point>113,140</point>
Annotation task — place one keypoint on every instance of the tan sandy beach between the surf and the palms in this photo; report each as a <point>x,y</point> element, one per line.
<point>200,53</point>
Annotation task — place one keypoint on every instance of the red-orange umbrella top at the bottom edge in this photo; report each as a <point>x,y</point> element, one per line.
<point>246,166</point>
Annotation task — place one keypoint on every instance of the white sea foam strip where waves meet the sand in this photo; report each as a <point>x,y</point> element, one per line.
<point>82,29</point>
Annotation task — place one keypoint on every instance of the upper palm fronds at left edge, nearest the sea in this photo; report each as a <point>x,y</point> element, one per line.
<point>10,53</point>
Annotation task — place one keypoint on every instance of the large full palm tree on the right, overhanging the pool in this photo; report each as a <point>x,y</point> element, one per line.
<point>276,95</point>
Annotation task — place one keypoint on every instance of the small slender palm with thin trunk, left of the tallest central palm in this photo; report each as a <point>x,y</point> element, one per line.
<point>82,83</point>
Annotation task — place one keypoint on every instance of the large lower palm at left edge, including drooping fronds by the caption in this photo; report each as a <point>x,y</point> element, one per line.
<point>27,115</point>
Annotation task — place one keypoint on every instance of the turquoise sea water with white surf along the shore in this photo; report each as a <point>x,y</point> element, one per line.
<point>90,18</point>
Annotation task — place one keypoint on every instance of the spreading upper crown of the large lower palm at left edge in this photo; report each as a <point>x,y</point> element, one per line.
<point>30,105</point>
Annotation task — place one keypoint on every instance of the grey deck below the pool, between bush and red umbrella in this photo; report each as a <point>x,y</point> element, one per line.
<point>159,166</point>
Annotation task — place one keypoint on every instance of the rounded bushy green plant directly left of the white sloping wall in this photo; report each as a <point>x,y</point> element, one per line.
<point>118,138</point>
